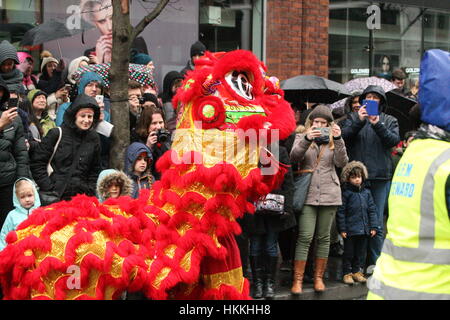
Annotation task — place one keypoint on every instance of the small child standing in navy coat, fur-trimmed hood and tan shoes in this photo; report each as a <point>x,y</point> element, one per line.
<point>356,220</point>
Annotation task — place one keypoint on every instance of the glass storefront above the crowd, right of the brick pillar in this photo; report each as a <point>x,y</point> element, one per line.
<point>404,32</point>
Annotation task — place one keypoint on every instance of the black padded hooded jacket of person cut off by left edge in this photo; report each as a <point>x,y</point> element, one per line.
<point>13,151</point>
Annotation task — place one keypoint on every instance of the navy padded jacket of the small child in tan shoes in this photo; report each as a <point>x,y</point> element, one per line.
<point>357,214</point>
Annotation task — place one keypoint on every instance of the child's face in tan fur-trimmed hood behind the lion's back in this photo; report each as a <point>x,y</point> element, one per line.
<point>113,184</point>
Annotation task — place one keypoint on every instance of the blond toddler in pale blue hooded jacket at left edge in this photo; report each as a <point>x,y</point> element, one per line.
<point>25,199</point>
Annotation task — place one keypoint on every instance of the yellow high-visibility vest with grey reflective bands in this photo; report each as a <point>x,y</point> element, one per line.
<point>415,260</point>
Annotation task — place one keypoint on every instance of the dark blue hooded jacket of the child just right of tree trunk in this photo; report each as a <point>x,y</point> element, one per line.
<point>146,179</point>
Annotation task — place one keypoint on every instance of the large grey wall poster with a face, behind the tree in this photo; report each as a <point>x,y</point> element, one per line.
<point>167,39</point>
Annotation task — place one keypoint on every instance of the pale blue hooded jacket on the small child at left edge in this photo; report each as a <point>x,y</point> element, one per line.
<point>19,214</point>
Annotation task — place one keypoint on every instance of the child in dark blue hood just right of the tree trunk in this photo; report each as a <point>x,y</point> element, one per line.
<point>137,166</point>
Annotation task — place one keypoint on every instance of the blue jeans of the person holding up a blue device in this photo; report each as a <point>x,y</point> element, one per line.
<point>380,191</point>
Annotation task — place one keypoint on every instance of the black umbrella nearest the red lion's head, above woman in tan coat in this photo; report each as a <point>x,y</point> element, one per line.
<point>311,88</point>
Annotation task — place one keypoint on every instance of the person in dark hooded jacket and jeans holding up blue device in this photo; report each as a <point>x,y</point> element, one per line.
<point>369,136</point>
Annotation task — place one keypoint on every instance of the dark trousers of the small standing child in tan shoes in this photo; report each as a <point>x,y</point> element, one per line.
<point>354,248</point>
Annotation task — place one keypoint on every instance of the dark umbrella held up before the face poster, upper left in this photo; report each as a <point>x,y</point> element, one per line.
<point>48,31</point>
